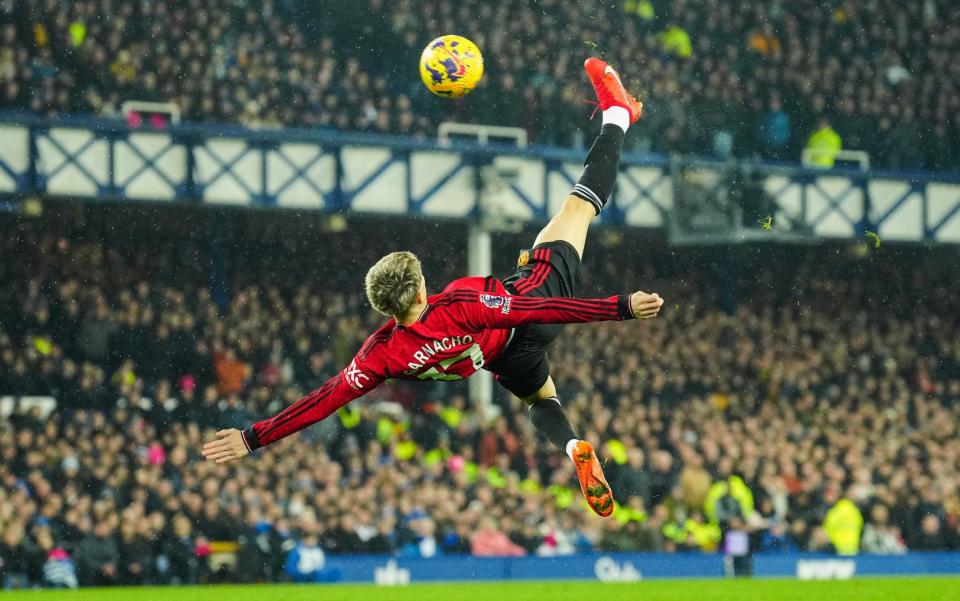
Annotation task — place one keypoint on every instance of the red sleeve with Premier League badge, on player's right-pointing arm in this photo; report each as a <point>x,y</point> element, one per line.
<point>483,310</point>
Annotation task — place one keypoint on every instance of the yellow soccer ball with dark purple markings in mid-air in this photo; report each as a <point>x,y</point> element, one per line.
<point>451,66</point>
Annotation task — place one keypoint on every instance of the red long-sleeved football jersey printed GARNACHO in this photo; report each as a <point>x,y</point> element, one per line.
<point>462,329</point>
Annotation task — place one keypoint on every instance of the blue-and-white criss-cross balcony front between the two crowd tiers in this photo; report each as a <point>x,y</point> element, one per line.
<point>337,171</point>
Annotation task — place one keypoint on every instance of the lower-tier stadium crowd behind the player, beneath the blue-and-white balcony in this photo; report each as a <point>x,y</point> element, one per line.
<point>819,412</point>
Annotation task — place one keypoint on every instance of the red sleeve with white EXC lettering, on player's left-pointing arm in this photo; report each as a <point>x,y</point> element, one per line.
<point>351,383</point>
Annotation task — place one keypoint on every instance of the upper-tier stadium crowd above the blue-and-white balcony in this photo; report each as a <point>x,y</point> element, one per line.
<point>716,76</point>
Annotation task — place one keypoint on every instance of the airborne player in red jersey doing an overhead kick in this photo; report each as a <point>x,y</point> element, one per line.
<point>504,326</point>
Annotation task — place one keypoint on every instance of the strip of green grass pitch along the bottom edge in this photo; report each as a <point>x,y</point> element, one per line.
<point>861,589</point>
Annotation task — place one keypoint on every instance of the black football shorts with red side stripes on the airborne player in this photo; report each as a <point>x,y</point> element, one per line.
<point>551,269</point>
